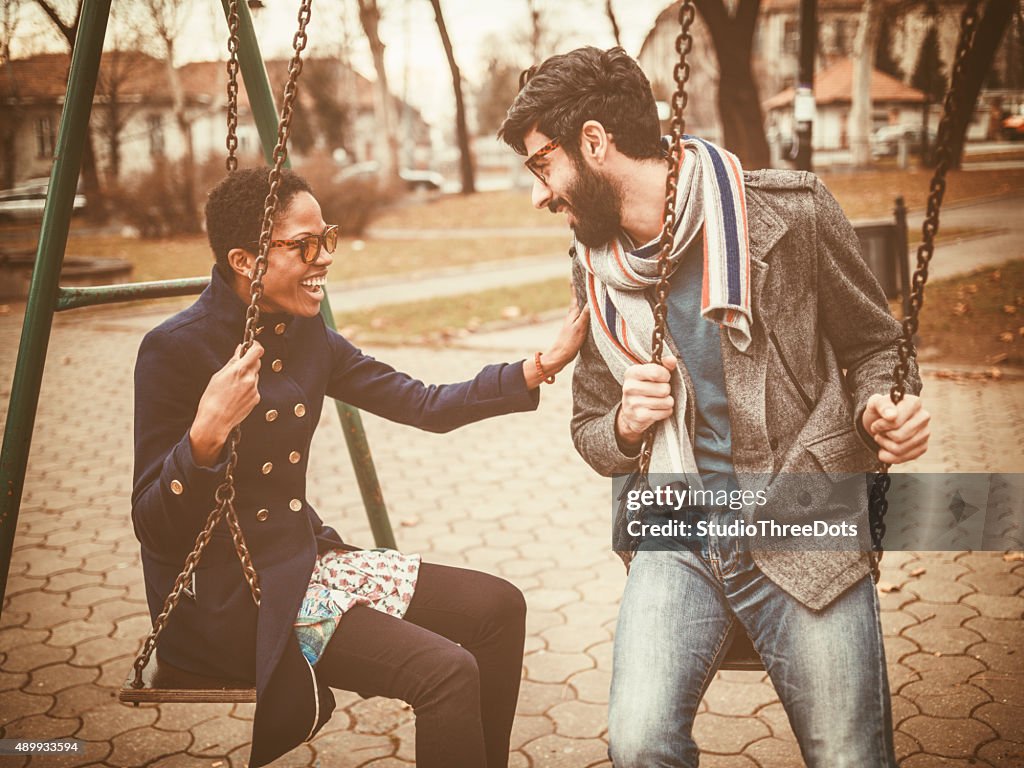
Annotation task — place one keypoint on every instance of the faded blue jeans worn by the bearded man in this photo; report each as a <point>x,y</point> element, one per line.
<point>678,614</point>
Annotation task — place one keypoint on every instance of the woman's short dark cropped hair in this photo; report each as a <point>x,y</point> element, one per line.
<point>235,208</point>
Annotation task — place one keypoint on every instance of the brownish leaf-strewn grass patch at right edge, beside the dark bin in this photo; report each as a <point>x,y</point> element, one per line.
<point>977,319</point>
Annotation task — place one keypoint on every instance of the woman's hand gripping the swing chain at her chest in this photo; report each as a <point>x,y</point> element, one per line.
<point>229,399</point>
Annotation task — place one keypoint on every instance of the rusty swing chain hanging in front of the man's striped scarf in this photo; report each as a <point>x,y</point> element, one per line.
<point>681,75</point>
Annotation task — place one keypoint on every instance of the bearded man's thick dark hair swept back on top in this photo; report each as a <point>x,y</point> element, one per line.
<point>560,96</point>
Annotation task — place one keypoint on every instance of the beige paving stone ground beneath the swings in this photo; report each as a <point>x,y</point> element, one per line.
<point>509,497</point>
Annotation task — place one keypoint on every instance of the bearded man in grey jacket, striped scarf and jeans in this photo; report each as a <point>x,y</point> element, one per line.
<point>782,348</point>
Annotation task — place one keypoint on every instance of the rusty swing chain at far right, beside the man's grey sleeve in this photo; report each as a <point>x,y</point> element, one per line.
<point>878,503</point>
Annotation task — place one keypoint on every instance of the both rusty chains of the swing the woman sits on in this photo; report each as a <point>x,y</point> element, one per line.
<point>225,496</point>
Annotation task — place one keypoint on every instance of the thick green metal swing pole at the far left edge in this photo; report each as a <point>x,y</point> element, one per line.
<point>46,277</point>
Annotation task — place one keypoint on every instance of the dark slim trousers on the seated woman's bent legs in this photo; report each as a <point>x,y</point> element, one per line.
<point>456,659</point>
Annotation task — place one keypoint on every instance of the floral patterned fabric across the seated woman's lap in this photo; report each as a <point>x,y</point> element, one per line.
<point>381,579</point>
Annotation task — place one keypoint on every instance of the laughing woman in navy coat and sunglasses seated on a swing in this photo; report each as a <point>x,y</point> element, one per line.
<point>447,641</point>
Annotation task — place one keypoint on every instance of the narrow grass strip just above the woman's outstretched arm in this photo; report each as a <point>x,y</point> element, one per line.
<point>438,321</point>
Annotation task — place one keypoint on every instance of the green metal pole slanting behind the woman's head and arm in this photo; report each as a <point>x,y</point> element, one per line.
<point>266,115</point>
